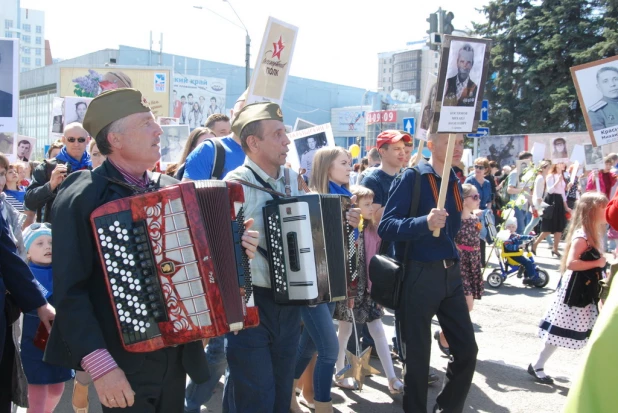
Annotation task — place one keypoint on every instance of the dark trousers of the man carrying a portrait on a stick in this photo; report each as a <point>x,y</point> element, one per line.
<point>430,289</point>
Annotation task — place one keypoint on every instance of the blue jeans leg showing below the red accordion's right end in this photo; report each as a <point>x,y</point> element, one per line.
<point>198,394</point>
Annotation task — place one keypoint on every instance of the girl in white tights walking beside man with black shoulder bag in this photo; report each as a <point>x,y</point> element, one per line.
<point>365,309</point>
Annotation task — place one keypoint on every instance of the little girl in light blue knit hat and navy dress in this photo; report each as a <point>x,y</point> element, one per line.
<point>45,382</point>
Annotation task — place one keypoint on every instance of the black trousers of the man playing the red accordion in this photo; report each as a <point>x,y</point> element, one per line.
<point>159,385</point>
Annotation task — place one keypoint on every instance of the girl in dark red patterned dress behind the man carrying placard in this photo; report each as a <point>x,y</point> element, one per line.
<point>469,246</point>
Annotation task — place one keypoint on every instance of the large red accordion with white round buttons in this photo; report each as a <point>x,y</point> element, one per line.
<point>175,268</point>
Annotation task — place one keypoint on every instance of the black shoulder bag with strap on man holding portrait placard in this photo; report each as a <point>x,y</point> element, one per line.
<point>387,273</point>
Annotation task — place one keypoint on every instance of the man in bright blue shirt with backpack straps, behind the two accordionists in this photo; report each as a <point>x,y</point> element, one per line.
<point>200,166</point>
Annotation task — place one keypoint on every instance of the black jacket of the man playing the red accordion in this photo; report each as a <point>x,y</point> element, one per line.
<point>84,316</point>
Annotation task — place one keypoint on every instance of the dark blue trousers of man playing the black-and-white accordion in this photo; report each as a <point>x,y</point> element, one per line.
<point>261,360</point>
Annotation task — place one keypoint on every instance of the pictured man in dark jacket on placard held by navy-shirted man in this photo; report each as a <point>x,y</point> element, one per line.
<point>460,89</point>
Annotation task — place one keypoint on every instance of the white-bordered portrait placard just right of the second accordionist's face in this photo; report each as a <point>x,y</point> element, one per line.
<point>305,143</point>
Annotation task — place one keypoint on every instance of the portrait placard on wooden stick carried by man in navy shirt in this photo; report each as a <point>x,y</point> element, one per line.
<point>461,82</point>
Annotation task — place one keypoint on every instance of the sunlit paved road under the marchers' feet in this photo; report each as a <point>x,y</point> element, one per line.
<point>505,322</point>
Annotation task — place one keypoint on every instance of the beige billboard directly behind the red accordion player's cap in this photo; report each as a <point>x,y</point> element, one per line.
<point>154,83</point>
